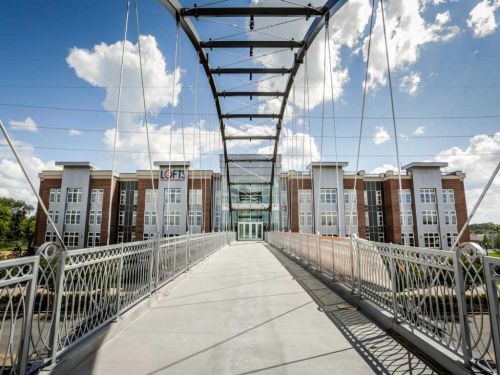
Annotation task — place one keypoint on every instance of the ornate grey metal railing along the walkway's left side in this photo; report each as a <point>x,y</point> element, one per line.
<point>52,301</point>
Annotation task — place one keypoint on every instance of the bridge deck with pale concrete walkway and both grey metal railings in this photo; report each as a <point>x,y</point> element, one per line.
<point>296,303</point>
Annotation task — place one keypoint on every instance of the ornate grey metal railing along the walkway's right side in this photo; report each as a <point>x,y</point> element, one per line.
<point>450,297</point>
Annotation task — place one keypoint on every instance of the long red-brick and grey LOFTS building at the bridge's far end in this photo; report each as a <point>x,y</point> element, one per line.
<point>429,211</point>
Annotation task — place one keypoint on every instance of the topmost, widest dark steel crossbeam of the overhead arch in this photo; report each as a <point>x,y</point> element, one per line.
<point>252,11</point>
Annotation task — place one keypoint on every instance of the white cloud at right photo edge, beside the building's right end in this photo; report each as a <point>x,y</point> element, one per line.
<point>478,160</point>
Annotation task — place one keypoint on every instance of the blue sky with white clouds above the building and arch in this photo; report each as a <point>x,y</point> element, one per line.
<point>445,79</point>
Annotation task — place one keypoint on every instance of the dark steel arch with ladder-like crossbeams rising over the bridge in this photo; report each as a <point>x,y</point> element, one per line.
<point>320,15</point>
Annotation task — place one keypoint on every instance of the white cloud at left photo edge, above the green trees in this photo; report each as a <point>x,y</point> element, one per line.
<point>14,184</point>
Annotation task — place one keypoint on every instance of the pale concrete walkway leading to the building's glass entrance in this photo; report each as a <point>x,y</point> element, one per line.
<point>239,312</point>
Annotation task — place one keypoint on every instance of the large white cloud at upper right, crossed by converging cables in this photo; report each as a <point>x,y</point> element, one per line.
<point>407,33</point>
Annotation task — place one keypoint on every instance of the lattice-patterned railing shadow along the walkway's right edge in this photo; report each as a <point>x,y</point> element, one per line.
<point>383,353</point>
